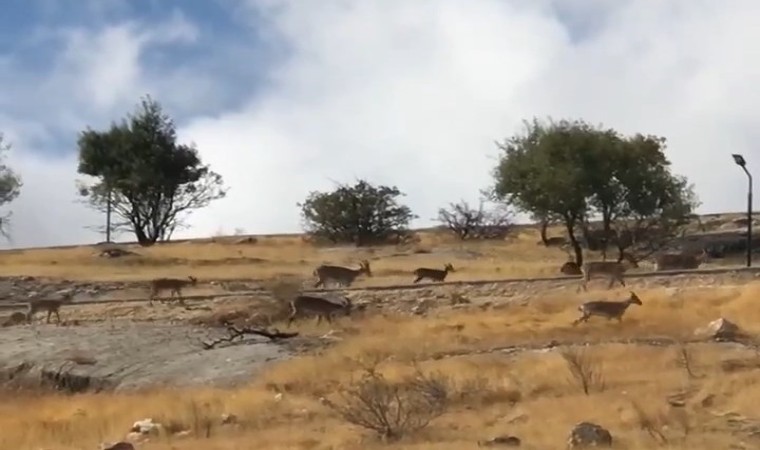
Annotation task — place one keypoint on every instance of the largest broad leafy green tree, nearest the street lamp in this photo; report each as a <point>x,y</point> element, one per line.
<point>572,171</point>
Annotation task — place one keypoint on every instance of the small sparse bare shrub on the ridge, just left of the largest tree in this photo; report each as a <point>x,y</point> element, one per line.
<point>467,222</point>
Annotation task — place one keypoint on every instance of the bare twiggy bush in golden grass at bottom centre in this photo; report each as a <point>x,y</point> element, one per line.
<point>393,409</point>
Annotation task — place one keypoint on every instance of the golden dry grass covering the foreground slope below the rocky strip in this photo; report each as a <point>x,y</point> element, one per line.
<point>531,394</point>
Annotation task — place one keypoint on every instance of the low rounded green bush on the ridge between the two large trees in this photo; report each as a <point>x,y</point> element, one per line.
<point>362,214</point>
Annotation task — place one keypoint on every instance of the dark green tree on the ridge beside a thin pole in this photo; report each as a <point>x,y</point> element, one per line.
<point>150,182</point>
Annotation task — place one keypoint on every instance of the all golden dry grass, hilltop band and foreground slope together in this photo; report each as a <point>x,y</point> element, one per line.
<point>529,394</point>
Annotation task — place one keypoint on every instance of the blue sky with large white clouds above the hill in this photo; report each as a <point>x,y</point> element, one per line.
<point>283,97</point>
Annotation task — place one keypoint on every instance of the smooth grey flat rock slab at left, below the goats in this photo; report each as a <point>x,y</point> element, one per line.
<point>136,355</point>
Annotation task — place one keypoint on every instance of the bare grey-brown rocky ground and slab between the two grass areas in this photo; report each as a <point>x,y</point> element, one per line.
<point>128,345</point>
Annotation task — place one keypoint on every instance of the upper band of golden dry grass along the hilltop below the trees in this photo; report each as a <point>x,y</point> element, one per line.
<point>271,257</point>
